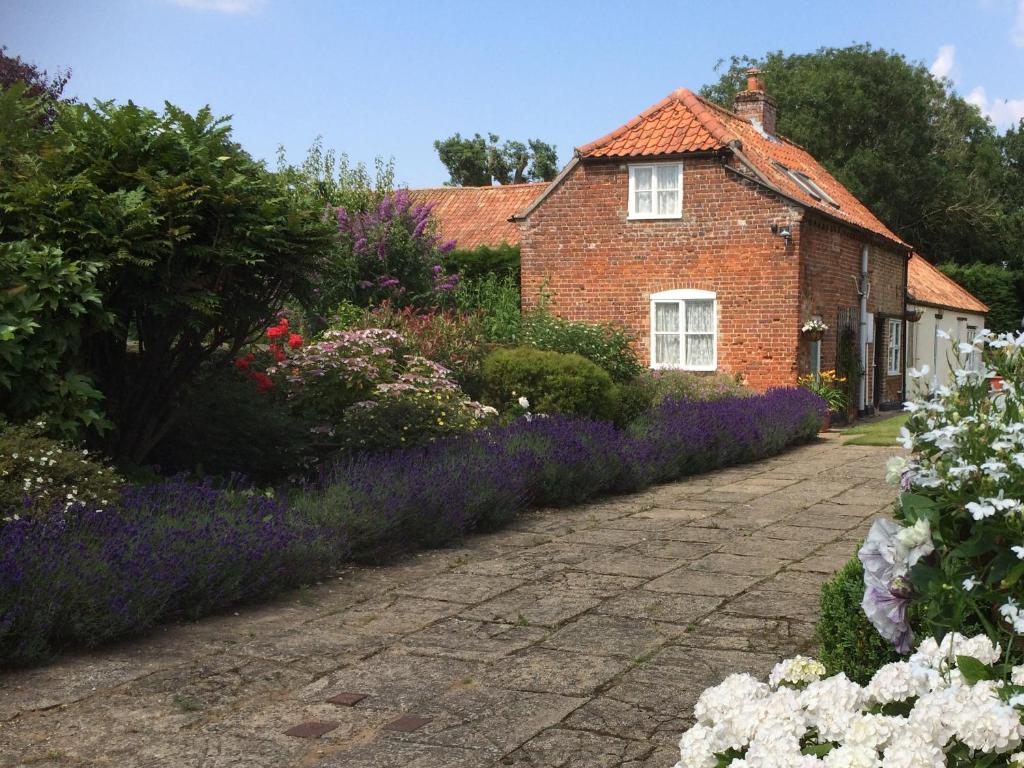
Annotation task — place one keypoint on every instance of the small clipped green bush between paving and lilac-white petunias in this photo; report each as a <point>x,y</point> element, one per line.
<point>847,642</point>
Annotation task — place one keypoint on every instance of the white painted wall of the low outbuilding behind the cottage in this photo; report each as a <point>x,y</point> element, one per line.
<point>925,347</point>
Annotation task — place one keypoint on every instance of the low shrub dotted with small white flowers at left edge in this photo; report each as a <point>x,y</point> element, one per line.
<point>44,477</point>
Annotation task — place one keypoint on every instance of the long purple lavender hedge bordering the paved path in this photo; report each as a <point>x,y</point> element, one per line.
<point>183,549</point>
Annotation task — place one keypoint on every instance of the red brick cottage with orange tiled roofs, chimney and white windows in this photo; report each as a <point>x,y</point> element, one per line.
<point>713,240</point>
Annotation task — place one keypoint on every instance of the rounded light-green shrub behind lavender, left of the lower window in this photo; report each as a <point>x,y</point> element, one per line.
<point>553,382</point>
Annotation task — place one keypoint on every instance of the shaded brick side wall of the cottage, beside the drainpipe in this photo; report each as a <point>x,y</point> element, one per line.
<point>830,264</point>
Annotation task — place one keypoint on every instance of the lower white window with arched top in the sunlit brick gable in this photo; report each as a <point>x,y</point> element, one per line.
<point>684,330</point>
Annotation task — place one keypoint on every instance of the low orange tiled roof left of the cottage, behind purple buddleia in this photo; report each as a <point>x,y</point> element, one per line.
<point>479,216</point>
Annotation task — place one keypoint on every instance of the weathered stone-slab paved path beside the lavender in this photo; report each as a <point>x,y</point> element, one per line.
<point>575,638</point>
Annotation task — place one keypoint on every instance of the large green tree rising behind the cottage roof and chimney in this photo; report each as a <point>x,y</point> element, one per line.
<point>926,162</point>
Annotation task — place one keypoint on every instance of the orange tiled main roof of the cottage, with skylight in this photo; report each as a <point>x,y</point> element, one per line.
<point>684,122</point>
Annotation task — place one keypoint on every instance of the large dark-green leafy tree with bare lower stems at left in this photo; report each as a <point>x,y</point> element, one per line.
<point>197,245</point>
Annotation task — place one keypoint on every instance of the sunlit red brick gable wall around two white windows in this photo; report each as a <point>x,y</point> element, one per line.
<point>600,267</point>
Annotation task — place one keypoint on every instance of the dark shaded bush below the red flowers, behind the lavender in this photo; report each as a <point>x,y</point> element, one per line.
<point>227,425</point>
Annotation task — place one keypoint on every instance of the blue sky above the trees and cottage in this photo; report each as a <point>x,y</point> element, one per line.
<point>389,78</point>
